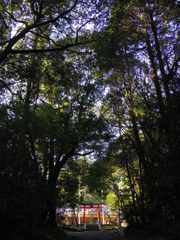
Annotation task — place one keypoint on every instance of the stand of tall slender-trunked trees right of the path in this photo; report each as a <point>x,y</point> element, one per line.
<point>139,104</point>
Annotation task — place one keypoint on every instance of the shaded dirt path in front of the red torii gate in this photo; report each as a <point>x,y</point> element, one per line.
<point>93,235</point>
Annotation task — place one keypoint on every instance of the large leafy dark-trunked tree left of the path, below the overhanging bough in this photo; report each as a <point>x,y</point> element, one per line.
<point>61,125</point>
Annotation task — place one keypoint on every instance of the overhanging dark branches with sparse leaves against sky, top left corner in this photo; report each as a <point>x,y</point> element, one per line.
<point>49,20</point>
